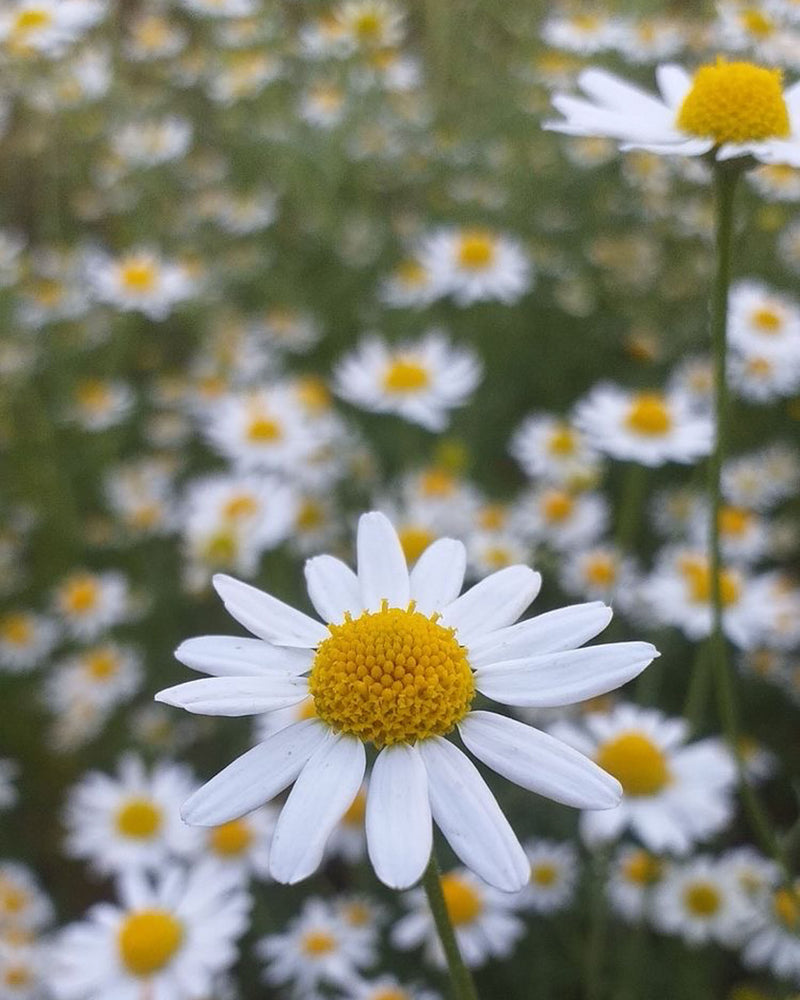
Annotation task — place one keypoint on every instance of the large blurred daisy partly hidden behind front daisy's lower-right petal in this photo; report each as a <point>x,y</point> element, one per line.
<point>676,794</point>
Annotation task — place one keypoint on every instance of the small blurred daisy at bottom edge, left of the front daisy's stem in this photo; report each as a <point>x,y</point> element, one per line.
<point>318,948</point>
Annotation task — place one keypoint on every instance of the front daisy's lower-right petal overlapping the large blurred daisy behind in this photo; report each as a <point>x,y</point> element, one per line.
<point>538,762</point>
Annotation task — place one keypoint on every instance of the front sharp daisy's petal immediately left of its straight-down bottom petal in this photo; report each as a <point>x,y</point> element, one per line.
<point>322,794</point>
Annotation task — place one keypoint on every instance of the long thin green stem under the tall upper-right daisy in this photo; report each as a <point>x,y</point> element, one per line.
<point>726,176</point>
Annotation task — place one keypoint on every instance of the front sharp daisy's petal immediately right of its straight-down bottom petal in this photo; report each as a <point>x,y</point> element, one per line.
<point>468,815</point>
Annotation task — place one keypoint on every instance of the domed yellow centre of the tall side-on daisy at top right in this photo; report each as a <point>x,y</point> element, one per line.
<point>735,102</point>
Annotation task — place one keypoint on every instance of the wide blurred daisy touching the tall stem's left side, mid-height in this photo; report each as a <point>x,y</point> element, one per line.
<point>649,428</point>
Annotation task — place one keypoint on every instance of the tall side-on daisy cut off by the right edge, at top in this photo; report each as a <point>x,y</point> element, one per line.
<point>732,109</point>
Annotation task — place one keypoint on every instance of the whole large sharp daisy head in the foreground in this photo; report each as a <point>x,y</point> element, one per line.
<point>397,666</point>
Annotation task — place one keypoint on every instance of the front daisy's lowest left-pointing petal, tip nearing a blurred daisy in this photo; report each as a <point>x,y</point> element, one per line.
<point>255,777</point>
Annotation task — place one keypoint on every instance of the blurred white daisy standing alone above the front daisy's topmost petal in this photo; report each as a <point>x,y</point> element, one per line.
<point>420,381</point>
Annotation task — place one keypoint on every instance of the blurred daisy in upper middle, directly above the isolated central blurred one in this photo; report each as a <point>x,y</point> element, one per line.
<point>476,265</point>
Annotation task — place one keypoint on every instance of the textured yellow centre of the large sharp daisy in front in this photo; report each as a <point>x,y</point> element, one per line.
<point>392,676</point>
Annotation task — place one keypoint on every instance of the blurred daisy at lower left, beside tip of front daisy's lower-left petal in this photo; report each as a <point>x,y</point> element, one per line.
<point>130,821</point>
